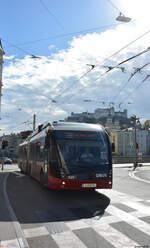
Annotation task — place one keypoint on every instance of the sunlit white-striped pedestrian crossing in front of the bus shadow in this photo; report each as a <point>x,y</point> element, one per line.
<point>122,226</point>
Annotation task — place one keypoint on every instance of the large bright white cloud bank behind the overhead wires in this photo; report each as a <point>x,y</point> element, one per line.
<point>31,84</point>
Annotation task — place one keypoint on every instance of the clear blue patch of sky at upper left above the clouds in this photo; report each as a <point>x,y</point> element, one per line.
<point>25,21</point>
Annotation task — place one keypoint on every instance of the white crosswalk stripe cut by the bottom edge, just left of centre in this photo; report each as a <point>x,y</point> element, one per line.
<point>68,240</point>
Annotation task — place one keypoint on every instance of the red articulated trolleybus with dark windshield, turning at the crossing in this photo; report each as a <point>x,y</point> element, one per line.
<point>65,155</point>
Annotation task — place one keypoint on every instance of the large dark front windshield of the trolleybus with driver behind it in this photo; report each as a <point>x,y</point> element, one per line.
<point>82,151</point>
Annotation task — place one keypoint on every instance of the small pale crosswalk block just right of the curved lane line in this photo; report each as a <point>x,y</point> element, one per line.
<point>35,232</point>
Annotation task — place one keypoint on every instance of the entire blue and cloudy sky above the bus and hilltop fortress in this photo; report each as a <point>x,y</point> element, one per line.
<point>50,47</point>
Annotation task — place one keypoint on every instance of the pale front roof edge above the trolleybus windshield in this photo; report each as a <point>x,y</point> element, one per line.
<point>77,126</point>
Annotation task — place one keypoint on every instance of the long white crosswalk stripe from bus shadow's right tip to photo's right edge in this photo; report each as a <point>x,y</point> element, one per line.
<point>130,219</point>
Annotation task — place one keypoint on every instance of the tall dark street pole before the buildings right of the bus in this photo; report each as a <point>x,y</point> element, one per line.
<point>135,119</point>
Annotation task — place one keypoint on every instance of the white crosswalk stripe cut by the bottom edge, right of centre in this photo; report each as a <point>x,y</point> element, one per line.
<point>116,238</point>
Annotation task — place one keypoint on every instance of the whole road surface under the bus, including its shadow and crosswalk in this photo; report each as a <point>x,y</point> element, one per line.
<point>33,217</point>
